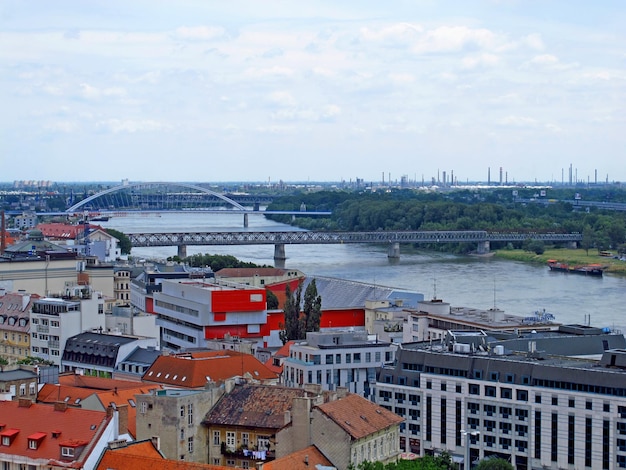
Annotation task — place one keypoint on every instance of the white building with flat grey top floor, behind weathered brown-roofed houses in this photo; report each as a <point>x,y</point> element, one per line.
<point>334,359</point>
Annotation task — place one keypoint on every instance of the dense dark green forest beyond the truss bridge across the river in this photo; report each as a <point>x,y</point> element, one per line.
<point>484,209</point>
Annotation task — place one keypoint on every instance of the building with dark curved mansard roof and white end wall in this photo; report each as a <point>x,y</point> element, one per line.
<point>100,354</point>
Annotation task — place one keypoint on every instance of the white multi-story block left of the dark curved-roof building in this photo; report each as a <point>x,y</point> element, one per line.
<point>55,319</point>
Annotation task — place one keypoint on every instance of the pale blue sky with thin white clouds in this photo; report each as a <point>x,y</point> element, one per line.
<point>263,91</point>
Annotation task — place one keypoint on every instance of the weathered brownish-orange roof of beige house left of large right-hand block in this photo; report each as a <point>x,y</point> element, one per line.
<point>358,416</point>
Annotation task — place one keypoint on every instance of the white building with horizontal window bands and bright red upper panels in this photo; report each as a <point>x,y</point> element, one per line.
<point>190,313</point>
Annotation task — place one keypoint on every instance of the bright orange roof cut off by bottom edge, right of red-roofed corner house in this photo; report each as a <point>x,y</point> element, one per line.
<point>144,456</point>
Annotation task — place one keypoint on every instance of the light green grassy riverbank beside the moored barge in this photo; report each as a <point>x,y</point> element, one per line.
<point>572,257</point>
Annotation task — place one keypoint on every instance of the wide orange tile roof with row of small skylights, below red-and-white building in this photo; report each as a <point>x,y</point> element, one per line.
<point>196,369</point>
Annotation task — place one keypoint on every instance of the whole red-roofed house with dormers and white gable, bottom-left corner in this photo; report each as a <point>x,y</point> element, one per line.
<point>37,436</point>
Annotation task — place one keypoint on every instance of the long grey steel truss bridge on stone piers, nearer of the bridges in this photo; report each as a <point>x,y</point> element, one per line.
<point>391,238</point>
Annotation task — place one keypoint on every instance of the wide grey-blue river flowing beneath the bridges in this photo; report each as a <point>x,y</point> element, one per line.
<point>514,287</point>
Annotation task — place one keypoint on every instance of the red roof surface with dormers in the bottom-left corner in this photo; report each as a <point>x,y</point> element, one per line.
<point>76,427</point>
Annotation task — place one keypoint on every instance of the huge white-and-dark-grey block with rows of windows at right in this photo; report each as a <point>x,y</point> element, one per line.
<point>537,399</point>
